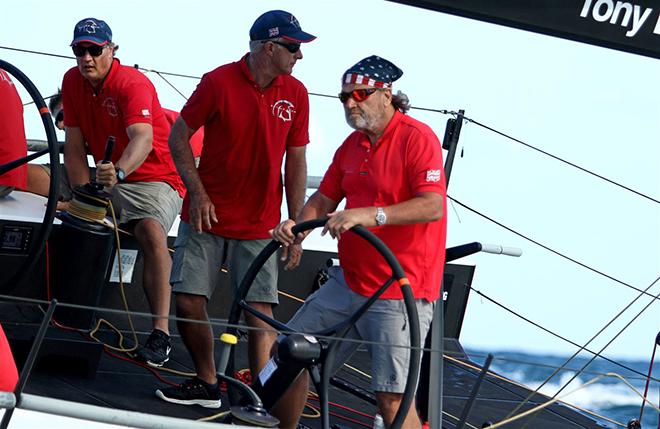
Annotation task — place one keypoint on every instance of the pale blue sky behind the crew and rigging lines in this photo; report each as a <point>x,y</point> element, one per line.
<point>596,107</point>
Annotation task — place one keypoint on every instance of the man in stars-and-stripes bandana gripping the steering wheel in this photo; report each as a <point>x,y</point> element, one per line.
<point>391,174</point>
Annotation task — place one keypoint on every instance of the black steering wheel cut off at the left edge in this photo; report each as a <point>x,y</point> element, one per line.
<point>39,239</point>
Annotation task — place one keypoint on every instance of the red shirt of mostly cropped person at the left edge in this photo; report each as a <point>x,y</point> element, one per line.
<point>12,133</point>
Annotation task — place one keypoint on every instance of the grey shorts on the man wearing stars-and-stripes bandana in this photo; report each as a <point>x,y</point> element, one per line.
<point>385,322</point>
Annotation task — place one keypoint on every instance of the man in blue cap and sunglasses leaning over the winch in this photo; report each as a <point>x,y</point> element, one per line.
<point>104,98</point>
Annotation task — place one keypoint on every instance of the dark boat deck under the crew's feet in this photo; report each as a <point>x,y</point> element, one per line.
<point>64,371</point>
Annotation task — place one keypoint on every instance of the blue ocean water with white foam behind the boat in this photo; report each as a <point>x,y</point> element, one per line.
<point>609,396</point>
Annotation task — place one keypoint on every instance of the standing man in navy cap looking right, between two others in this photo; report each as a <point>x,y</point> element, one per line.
<point>254,114</point>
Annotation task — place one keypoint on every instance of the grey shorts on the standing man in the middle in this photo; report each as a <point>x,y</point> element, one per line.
<point>201,258</point>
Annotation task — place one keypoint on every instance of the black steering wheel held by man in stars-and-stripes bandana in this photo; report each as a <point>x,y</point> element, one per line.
<point>340,330</point>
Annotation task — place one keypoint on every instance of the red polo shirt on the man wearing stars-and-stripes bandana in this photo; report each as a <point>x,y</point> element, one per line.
<point>406,160</point>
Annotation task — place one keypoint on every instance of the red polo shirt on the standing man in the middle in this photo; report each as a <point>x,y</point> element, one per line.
<point>246,132</point>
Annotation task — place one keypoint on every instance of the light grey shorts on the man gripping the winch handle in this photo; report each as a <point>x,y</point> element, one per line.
<point>146,200</point>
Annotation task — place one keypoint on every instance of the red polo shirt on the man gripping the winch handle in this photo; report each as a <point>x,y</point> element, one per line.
<point>127,97</point>
